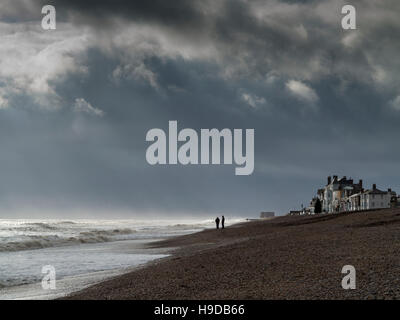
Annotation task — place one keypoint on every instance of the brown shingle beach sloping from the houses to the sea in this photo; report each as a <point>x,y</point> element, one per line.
<point>281,258</point>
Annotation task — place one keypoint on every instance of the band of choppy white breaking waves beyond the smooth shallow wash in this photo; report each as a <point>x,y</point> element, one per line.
<point>17,235</point>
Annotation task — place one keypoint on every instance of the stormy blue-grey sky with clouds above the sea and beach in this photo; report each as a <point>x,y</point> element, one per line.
<point>76,103</point>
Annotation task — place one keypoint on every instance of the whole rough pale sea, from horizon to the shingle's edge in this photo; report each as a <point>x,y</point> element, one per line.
<point>80,252</point>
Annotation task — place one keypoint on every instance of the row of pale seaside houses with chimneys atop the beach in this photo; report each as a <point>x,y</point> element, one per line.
<point>343,195</point>
